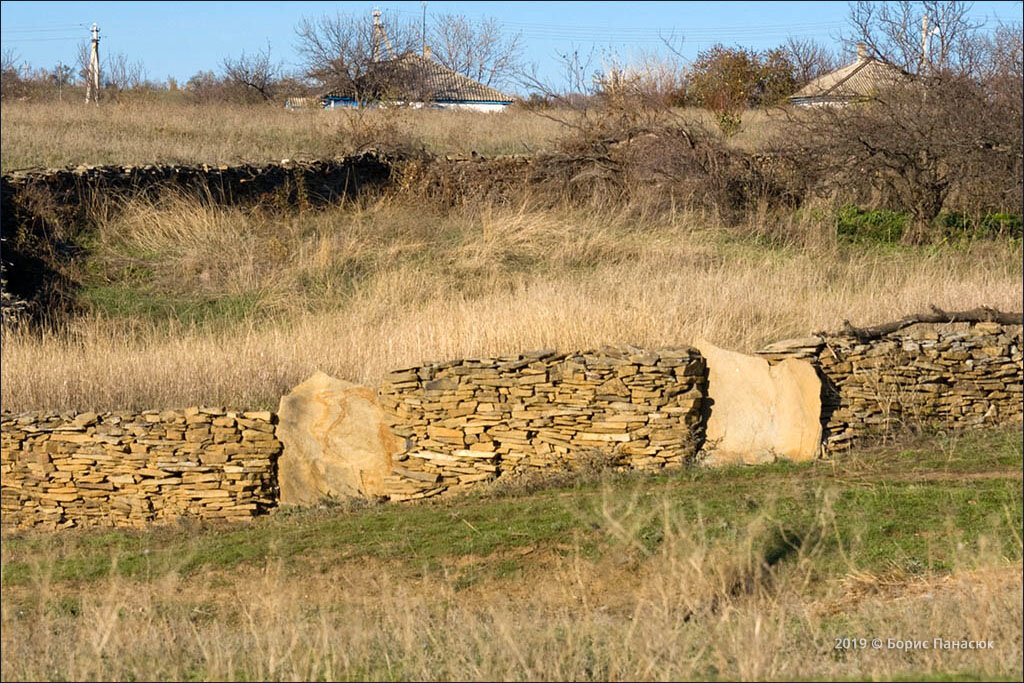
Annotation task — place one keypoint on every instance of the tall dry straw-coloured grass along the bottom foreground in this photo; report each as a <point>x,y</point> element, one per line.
<point>697,608</point>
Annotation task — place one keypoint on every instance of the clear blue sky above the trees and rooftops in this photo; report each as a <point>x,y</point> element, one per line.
<point>181,38</point>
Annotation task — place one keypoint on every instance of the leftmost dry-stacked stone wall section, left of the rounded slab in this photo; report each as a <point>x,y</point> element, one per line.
<point>127,469</point>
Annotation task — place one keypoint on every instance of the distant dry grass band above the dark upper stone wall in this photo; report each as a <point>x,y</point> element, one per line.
<point>53,135</point>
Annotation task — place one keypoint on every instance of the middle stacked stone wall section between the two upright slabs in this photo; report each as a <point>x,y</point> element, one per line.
<point>475,420</point>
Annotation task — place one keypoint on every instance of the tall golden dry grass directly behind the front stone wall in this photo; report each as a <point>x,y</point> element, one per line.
<point>357,291</point>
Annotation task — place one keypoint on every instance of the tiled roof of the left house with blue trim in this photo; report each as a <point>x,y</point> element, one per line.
<point>416,78</point>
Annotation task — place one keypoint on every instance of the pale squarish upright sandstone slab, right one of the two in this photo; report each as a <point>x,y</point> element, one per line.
<point>760,412</point>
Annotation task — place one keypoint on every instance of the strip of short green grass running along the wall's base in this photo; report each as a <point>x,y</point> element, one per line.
<point>915,509</point>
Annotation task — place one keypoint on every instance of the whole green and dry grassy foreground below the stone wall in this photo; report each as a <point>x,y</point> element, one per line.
<point>737,574</point>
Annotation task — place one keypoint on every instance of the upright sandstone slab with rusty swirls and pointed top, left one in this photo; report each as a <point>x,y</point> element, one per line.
<point>336,442</point>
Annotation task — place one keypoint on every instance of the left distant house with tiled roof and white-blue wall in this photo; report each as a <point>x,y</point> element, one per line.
<point>414,80</point>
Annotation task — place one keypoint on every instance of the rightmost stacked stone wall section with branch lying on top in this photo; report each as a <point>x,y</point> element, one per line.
<point>951,376</point>
